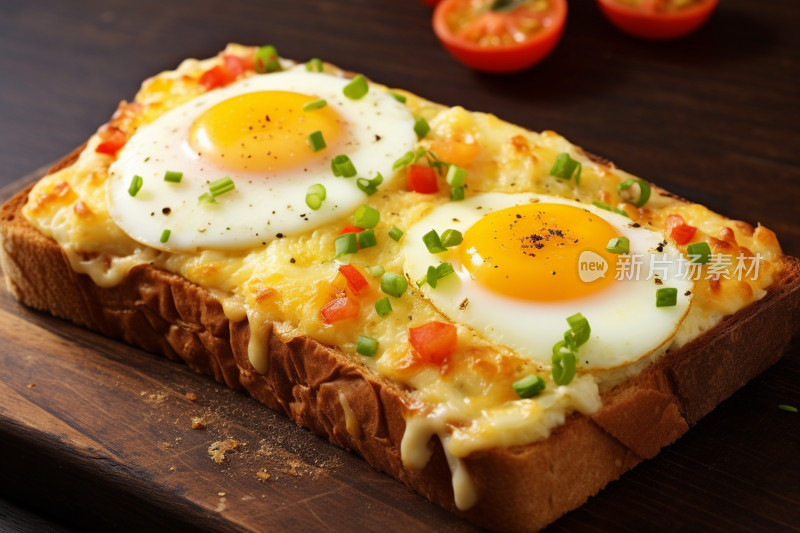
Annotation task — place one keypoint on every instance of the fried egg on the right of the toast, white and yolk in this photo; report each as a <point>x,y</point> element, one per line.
<point>527,262</point>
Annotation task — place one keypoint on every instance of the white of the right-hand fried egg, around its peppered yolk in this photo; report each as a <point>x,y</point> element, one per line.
<point>626,324</point>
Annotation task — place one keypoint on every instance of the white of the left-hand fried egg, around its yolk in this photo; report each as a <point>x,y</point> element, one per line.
<point>378,130</point>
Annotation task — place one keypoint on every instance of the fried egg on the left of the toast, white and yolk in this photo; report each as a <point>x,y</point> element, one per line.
<point>254,132</point>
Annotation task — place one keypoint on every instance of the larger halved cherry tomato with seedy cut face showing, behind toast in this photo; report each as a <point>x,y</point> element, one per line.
<point>500,35</point>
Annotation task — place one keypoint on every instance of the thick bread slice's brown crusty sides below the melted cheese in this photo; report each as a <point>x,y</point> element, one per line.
<point>520,489</point>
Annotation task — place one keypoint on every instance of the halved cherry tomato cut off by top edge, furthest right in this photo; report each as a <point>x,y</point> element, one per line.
<point>657,20</point>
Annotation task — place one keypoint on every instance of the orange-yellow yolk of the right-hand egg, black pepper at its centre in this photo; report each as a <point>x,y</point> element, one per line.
<point>535,252</point>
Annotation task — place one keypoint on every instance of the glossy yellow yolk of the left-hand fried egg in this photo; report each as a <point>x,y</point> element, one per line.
<point>264,131</point>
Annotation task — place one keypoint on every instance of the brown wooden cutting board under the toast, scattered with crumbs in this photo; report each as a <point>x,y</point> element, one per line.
<point>105,436</point>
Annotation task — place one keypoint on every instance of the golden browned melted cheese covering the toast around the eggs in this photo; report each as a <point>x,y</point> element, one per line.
<point>282,286</point>
